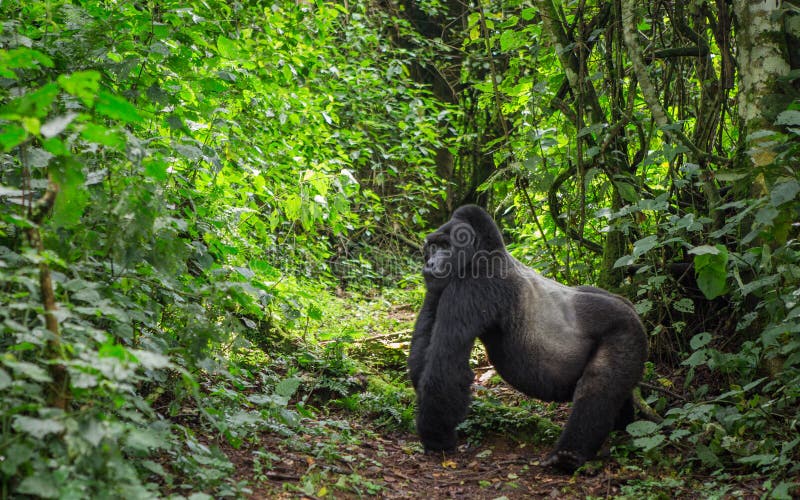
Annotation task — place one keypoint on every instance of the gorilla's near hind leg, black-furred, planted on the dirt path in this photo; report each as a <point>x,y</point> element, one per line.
<point>599,402</point>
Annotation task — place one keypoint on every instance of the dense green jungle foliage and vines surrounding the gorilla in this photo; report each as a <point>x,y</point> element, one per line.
<point>185,185</point>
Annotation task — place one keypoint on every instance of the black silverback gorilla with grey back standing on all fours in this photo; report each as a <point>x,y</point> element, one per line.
<point>548,340</point>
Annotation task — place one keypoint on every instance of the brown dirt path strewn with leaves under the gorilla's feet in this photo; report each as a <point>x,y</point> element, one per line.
<point>391,466</point>
